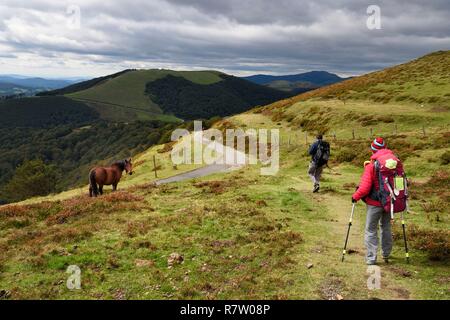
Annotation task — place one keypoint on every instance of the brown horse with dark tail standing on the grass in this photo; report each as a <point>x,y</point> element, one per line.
<point>108,176</point>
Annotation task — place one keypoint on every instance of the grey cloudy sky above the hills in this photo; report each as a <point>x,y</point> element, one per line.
<point>241,37</point>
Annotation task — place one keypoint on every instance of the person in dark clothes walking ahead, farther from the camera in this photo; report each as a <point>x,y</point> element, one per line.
<point>319,152</point>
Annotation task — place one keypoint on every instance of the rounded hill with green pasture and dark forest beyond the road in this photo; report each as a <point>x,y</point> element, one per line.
<point>145,94</point>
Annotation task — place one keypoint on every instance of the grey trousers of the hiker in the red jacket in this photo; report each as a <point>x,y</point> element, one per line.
<point>377,216</point>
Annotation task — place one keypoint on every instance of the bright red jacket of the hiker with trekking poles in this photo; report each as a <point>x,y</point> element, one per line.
<point>368,180</point>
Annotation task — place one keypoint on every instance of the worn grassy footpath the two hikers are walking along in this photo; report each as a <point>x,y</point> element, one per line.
<point>352,273</point>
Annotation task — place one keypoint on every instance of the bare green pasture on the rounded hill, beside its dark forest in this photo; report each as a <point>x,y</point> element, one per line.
<point>129,90</point>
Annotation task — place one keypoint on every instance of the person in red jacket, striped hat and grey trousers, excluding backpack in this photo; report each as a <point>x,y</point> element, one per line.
<point>375,211</point>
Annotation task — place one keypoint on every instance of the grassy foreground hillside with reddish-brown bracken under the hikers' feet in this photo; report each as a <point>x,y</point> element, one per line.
<point>243,235</point>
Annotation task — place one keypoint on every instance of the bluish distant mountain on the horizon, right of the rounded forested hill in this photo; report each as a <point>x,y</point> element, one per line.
<point>296,83</point>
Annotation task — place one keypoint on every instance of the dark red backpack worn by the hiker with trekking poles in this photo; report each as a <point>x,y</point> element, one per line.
<point>392,183</point>
